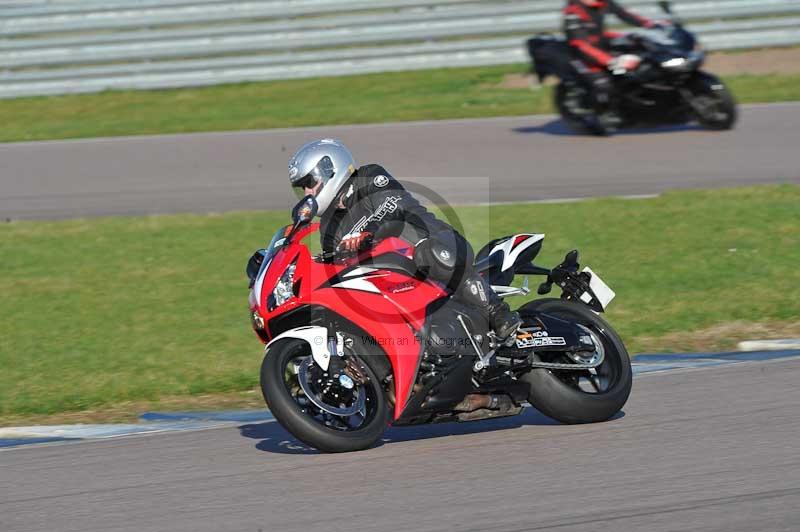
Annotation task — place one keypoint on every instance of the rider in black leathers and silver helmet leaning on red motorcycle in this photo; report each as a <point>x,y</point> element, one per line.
<point>357,205</point>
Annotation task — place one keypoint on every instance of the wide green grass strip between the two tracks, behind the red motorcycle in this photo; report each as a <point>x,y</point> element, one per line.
<point>102,311</point>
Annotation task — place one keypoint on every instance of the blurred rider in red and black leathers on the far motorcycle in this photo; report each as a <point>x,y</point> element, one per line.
<point>584,26</point>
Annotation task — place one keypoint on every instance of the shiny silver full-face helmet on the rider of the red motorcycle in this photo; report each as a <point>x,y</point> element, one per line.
<point>325,161</point>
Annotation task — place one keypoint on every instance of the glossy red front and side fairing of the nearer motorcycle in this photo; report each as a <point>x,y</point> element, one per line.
<point>387,304</point>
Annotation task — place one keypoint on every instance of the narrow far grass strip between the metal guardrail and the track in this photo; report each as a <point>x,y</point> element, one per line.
<point>421,95</point>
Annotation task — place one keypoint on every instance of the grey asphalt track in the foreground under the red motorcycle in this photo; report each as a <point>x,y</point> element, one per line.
<point>713,449</point>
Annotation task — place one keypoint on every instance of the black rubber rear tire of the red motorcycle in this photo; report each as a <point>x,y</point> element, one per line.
<point>563,394</point>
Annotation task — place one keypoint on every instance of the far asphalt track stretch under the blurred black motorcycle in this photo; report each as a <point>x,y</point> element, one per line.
<point>465,161</point>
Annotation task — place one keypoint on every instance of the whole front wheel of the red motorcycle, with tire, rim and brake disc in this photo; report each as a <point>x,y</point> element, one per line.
<point>338,410</point>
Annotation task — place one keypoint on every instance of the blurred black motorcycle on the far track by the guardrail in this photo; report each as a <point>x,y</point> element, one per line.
<point>668,87</point>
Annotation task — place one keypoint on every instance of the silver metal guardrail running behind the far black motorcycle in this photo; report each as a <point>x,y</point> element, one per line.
<point>69,46</point>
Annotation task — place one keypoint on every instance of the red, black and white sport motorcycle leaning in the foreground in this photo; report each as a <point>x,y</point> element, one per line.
<point>355,343</point>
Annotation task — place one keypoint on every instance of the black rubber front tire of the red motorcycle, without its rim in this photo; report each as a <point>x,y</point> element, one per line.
<point>300,421</point>
